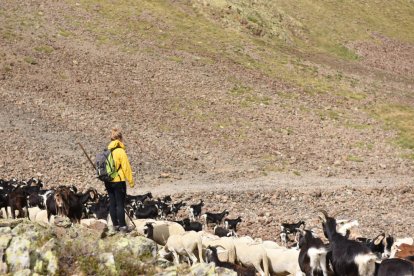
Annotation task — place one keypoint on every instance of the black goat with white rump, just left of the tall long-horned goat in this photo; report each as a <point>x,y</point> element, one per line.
<point>312,255</point>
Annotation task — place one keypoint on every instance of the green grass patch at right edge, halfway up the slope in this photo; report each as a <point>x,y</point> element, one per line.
<point>401,118</point>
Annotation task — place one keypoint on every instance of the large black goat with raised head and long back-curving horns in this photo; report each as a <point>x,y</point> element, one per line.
<point>348,257</point>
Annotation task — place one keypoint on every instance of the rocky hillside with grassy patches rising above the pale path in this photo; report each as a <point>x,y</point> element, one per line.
<point>207,90</point>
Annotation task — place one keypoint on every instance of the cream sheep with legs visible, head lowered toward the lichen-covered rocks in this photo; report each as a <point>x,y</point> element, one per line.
<point>184,244</point>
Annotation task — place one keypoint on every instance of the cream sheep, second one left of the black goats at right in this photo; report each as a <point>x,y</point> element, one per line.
<point>252,254</point>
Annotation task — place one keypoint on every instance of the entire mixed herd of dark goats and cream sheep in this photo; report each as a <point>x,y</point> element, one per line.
<point>342,254</point>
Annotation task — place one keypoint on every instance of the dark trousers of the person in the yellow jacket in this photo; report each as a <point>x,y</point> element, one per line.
<point>117,193</point>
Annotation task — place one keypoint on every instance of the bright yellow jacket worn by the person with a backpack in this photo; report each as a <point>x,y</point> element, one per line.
<point>121,162</point>
